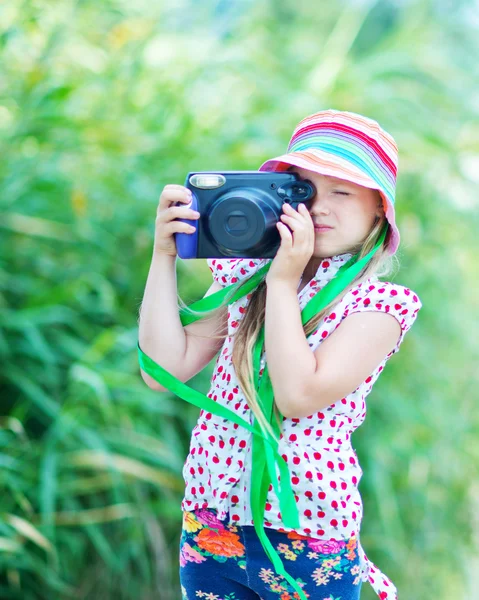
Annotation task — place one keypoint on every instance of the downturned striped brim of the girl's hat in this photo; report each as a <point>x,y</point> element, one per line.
<point>325,163</point>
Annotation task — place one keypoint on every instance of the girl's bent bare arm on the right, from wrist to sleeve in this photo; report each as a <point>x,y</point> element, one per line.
<point>305,382</point>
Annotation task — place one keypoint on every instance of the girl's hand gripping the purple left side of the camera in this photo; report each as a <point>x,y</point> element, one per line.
<point>166,224</point>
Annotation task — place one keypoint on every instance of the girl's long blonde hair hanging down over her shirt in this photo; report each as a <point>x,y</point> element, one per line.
<point>245,338</point>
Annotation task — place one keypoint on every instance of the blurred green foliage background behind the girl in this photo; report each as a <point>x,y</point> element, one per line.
<point>101,105</point>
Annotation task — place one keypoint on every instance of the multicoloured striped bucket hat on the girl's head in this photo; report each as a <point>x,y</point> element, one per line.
<point>347,146</point>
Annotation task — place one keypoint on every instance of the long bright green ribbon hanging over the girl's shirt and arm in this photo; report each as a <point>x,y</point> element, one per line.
<point>265,455</point>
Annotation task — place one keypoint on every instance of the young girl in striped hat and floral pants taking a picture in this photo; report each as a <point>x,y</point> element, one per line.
<point>321,372</point>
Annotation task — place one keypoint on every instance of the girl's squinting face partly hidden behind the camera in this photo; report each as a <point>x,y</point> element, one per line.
<point>343,213</point>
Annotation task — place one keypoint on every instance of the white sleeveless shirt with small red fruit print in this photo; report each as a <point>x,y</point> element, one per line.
<point>323,465</point>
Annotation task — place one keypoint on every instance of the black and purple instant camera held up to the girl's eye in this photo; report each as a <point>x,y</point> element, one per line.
<point>238,212</point>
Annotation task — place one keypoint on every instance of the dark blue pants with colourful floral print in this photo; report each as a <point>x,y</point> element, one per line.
<point>223,561</point>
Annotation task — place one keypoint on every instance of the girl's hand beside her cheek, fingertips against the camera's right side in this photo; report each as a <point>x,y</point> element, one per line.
<point>296,229</point>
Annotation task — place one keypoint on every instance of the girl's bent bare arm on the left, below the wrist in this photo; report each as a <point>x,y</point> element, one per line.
<point>162,336</point>
